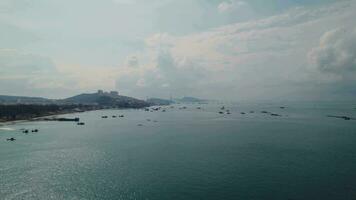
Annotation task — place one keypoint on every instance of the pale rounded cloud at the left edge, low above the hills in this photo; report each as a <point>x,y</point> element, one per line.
<point>30,74</point>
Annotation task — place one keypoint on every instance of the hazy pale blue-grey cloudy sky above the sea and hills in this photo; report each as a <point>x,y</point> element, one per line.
<point>214,49</point>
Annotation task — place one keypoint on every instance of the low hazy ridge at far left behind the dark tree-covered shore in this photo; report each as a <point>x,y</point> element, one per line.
<point>5,99</point>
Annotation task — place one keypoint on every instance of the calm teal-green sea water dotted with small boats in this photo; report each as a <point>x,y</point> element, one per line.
<point>185,154</point>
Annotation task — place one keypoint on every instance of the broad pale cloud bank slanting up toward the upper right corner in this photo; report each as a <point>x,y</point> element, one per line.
<point>265,58</point>
